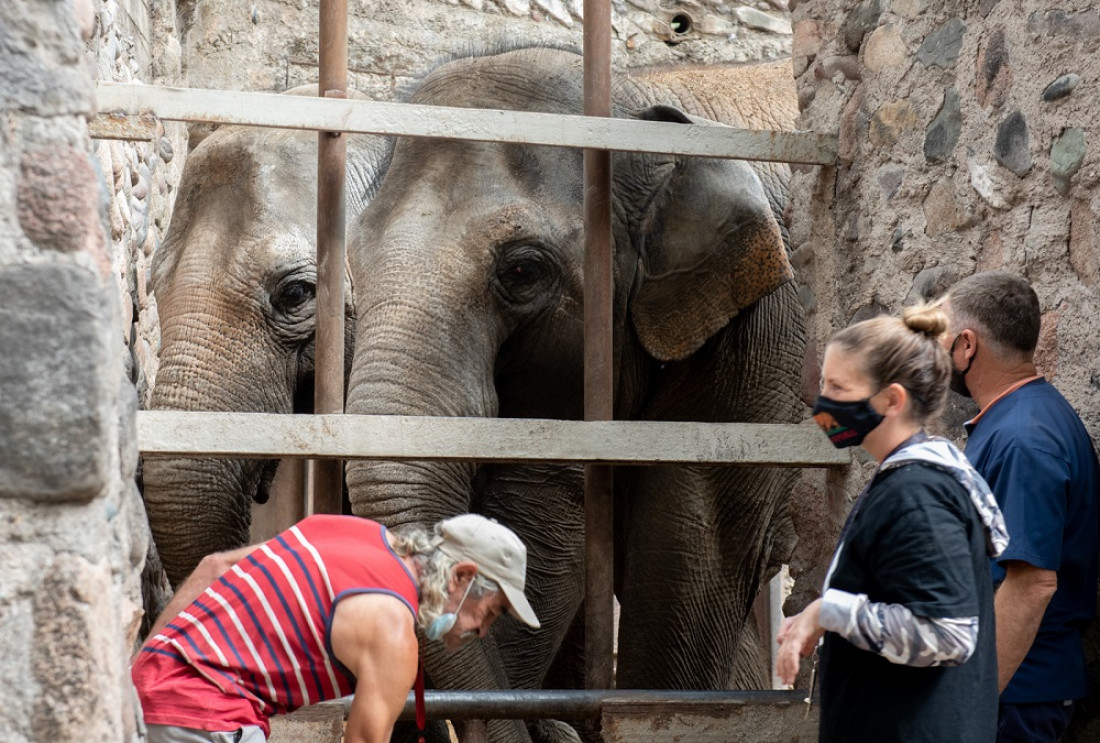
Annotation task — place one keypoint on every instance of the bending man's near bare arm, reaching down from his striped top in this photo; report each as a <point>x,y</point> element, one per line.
<point>373,636</point>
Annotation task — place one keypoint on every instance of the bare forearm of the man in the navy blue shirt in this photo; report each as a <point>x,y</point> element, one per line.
<point>1019,606</point>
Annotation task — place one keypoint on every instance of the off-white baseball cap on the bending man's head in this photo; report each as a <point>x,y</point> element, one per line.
<point>499,554</point>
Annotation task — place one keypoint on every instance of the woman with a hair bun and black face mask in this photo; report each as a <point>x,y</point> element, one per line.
<point>905,627</point>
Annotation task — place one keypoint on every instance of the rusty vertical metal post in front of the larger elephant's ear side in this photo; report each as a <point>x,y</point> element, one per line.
<point>599,362</point>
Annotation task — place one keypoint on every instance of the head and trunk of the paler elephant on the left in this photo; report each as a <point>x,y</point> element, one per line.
<point>235,283</point>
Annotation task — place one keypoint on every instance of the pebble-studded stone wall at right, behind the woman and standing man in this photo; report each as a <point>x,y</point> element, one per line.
<point>965,145</point>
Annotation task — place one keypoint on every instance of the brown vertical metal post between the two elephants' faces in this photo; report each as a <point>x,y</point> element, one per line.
<point>327,480</point>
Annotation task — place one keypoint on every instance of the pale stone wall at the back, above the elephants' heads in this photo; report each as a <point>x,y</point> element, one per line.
<point>272,46</point>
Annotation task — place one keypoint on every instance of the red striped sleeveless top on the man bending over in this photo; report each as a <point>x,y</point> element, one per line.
<point>257,642</point>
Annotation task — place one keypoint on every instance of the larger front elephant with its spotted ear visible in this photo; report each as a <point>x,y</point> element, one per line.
<point>469,302</point>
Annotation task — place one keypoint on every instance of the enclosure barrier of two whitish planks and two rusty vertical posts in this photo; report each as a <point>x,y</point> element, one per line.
<point>133,113</point>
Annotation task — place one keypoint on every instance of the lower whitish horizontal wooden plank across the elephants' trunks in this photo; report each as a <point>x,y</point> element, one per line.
<point>262,435</point>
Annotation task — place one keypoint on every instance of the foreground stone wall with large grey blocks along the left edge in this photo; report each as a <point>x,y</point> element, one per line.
<point>72,525</point>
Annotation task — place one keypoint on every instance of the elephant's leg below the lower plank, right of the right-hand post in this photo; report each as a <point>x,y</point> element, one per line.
<point>692,565</point>
